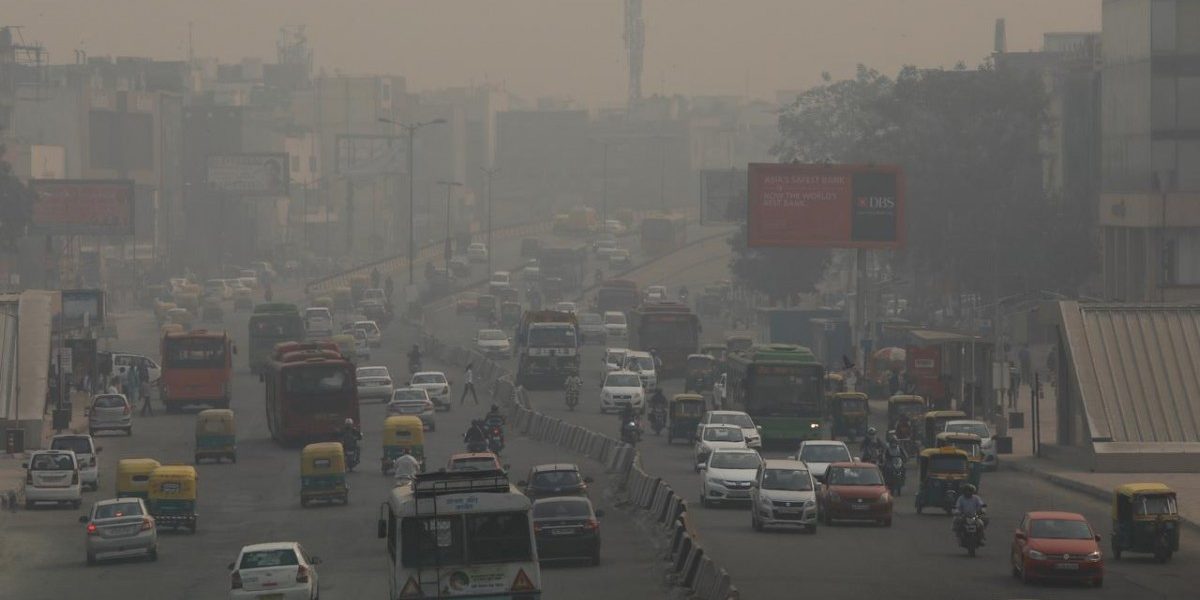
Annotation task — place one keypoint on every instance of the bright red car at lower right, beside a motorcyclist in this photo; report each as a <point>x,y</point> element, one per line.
<point>1053,545</point>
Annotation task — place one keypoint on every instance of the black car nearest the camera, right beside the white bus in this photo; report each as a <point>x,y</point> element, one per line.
<point>567,530</point>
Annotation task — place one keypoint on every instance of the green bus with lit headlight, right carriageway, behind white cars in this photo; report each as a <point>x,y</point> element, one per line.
<point>782,388</point>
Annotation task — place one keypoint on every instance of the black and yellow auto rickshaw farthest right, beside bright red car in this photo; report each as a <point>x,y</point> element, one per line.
<point>1145,519</point>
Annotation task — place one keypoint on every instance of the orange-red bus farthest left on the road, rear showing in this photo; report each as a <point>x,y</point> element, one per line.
<point>197,369</point>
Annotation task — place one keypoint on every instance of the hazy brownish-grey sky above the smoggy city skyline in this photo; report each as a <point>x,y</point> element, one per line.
<point>562,47</point>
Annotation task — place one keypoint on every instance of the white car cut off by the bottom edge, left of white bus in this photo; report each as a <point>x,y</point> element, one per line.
<point>280,571</point>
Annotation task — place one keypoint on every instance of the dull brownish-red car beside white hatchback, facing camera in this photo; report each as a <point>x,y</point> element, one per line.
<point>855,491</point>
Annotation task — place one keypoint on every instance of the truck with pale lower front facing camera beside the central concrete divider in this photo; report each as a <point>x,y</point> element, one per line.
<point>548,349</point>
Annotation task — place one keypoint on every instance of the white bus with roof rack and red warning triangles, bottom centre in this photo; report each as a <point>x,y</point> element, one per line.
<point>461,536</point>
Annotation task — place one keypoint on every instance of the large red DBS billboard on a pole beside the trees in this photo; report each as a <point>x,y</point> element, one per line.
<point>830,206</point>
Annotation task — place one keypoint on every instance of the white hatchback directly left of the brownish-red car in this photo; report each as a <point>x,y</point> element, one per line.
<point>784,495</point>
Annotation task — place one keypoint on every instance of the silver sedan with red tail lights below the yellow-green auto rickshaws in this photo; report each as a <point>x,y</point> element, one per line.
<point>121,529</point>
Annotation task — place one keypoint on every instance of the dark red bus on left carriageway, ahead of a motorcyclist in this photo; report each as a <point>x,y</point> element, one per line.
<point>311,391</point>
